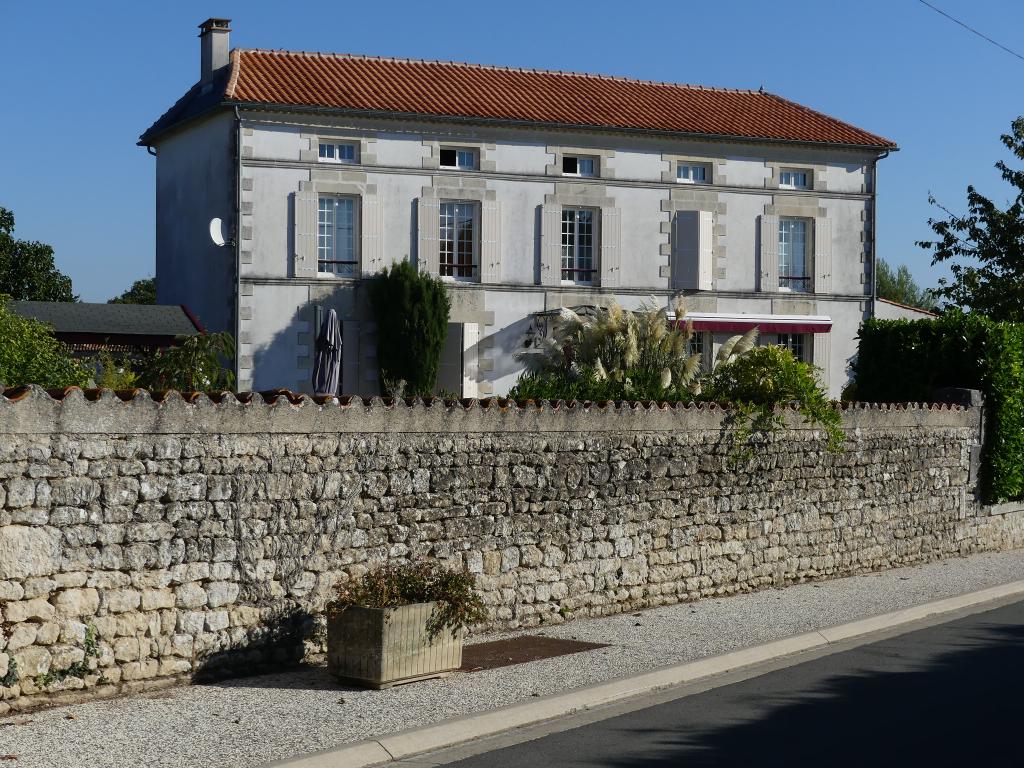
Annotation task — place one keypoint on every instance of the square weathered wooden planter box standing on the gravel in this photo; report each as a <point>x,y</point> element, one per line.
<point>381,648</point>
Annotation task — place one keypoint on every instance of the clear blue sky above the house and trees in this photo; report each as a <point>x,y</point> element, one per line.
<point>83,80</point>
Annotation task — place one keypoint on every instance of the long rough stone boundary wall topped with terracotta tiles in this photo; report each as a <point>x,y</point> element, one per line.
<point>149,542</point>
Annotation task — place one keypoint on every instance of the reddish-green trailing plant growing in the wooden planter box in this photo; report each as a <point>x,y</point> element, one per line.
<point>394,585</point>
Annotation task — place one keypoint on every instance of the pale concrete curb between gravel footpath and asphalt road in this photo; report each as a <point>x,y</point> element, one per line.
<point>407,744</point>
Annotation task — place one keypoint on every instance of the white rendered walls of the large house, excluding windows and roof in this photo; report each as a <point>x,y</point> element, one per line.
<point>268,294</point>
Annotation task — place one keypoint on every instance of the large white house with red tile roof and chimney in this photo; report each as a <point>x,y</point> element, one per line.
<point>526,190</point>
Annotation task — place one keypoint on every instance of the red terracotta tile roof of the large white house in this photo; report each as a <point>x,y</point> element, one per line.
<point>451,90</point>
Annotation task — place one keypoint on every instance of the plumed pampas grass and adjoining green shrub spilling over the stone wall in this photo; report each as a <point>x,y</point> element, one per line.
<point>627,356</point>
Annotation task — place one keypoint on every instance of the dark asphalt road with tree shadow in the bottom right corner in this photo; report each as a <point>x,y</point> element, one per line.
<point>950,695</point>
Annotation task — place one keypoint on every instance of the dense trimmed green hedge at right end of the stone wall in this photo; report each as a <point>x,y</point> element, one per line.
<point>907,361</point>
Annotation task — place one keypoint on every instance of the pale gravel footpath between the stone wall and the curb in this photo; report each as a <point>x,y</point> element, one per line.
<point>273,717</point>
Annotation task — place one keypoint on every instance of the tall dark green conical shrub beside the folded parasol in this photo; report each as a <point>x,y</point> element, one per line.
<point>412,314</point>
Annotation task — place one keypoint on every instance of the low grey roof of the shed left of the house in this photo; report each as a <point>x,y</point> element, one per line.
<point>135,320</point>
